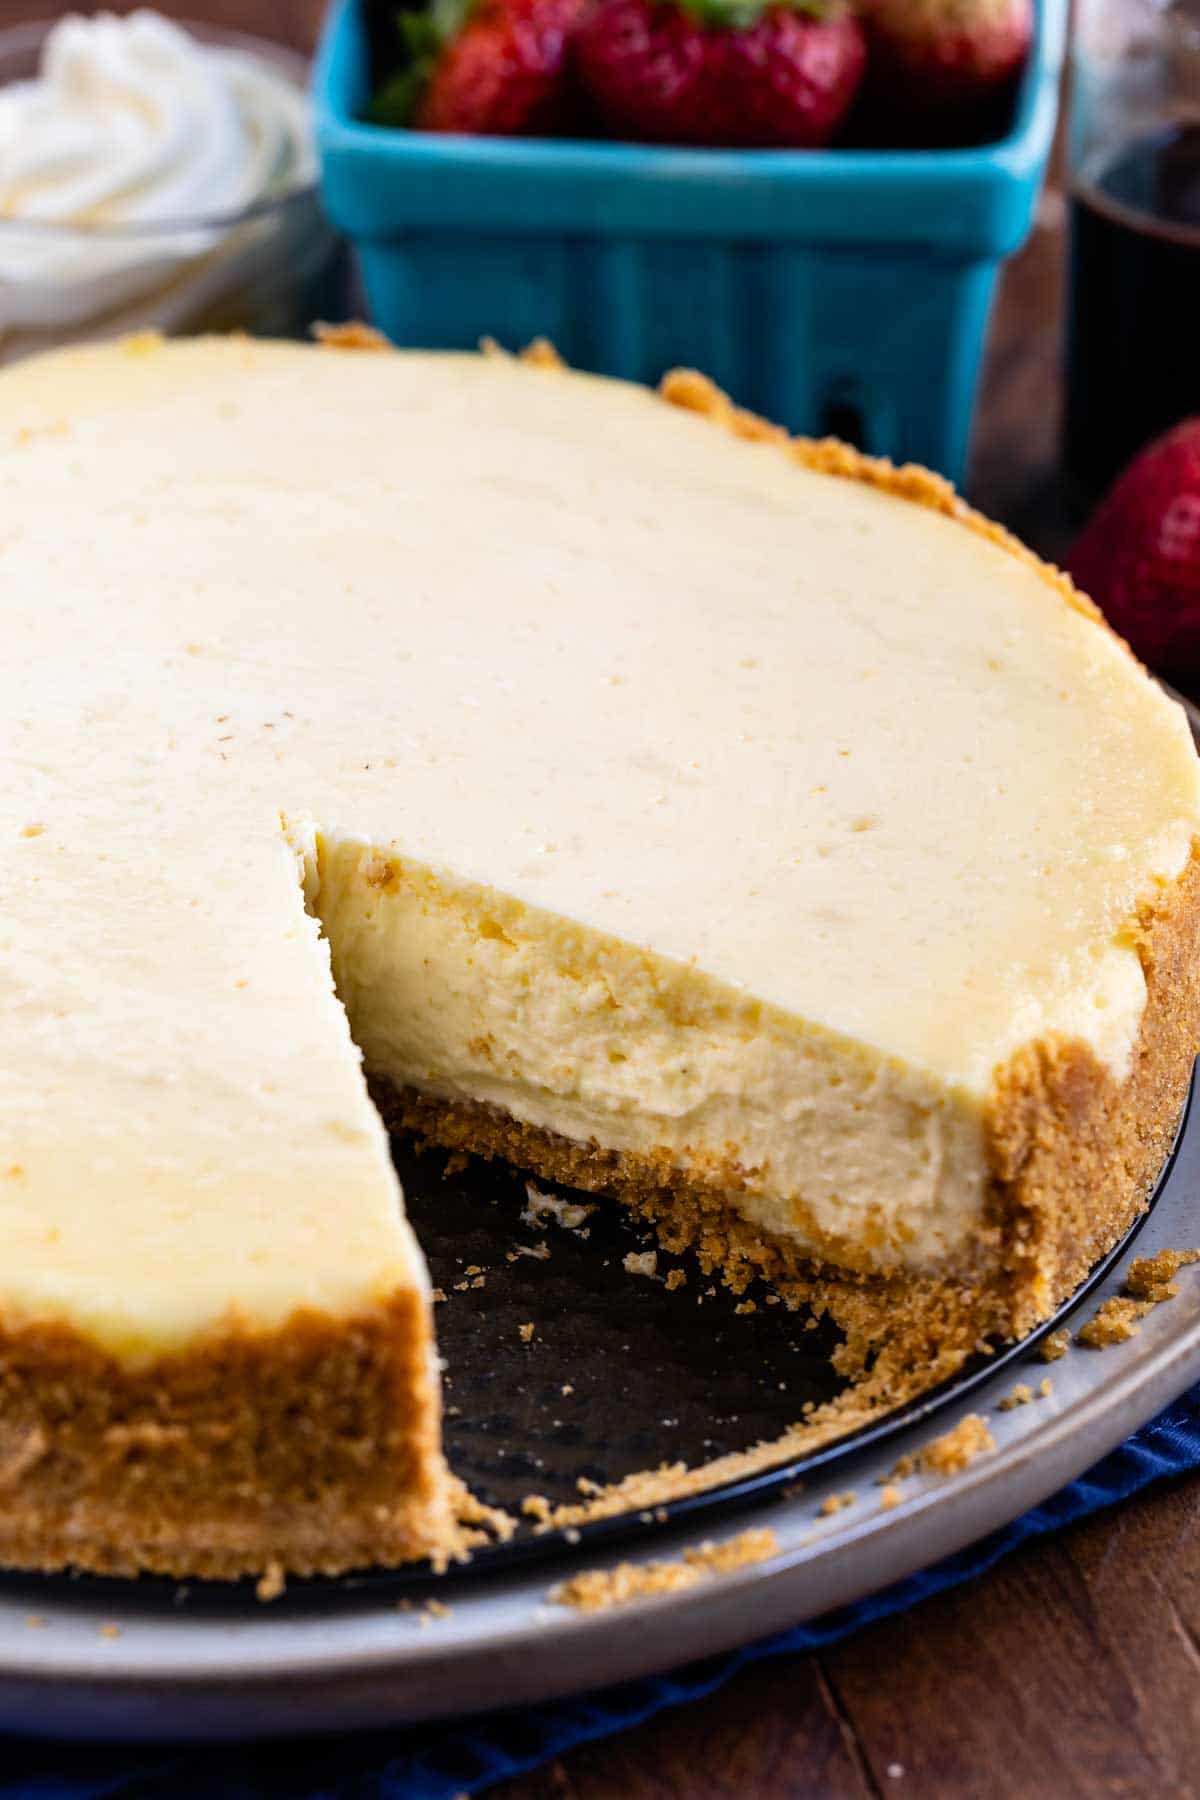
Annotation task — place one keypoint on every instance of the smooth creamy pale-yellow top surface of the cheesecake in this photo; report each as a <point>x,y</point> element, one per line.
<point>803,741</point>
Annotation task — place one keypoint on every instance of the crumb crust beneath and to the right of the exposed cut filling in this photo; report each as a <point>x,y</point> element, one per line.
<point>1073,1158</point>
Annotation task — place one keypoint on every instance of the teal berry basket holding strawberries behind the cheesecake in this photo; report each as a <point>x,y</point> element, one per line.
<point>843,291</point>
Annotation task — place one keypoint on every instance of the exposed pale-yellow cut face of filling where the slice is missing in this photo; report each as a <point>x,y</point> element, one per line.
<point>467,994</point>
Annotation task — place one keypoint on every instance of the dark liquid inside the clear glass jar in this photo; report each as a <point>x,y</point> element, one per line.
<point>1134,339</point>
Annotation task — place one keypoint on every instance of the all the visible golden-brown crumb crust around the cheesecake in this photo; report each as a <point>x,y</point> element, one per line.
<point>190,1464</point>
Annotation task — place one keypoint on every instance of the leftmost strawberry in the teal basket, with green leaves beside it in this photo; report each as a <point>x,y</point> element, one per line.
<point>492,67</point>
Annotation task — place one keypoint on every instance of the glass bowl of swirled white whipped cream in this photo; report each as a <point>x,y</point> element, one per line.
<point>156,177</point>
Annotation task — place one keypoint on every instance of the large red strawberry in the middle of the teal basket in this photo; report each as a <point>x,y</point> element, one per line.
<point>722,71</point>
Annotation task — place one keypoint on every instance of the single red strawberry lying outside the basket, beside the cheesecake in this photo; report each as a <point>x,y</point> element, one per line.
<point>1140,557</point>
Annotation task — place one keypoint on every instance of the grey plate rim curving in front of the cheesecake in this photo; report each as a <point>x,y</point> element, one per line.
<point>420,1677</point>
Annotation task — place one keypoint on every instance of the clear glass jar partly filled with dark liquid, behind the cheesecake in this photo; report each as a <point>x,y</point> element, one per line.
<point>1134,168</point>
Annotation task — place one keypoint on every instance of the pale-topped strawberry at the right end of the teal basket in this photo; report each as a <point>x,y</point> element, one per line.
<point>947,62</point>
